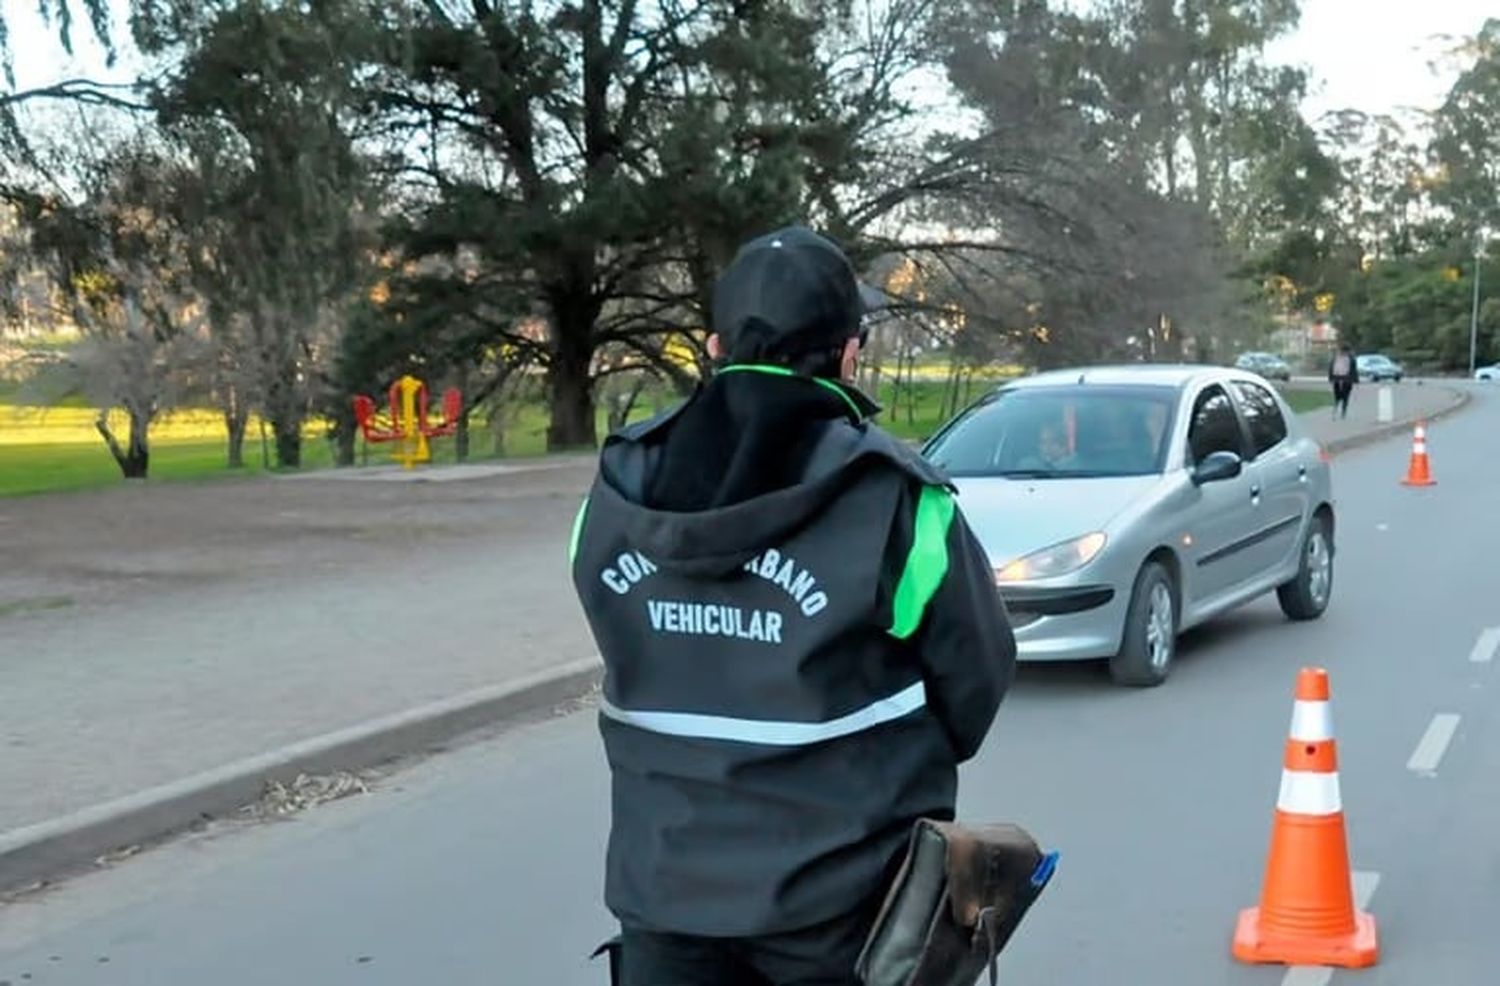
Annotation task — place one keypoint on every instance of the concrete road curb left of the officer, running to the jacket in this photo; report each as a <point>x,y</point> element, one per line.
<point>68,844</point>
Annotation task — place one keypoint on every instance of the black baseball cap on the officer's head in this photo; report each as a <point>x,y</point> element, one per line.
<point>787,295</point>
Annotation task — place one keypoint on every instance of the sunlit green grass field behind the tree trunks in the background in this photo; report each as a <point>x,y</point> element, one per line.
<point>58,449</point>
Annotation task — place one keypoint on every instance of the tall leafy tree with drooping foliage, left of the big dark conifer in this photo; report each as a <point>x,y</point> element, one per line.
<point>262,103</point>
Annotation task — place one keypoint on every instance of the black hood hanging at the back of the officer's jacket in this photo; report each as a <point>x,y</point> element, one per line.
<point>749,460</point>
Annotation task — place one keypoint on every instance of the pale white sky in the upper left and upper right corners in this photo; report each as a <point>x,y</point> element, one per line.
<point>1369,55</point>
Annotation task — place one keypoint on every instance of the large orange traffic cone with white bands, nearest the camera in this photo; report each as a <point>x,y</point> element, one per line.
<point>1307,906</point>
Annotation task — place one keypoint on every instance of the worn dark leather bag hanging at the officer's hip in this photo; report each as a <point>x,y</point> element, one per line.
<point>955,904</point>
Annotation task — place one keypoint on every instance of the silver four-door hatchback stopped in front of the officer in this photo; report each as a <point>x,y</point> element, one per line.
<point>1126,505</point>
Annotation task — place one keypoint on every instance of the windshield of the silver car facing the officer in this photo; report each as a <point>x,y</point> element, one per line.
<point>1060,433</point>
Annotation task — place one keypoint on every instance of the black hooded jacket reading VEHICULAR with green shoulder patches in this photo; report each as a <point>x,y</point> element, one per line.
<point>802,642</point>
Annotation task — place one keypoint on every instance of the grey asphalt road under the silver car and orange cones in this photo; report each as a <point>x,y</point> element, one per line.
<point>482,865</point>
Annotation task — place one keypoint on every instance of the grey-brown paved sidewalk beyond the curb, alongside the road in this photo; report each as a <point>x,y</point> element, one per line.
<point>152,634</point>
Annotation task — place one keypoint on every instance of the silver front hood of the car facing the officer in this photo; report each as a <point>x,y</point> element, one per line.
<point>1016,517</point>
